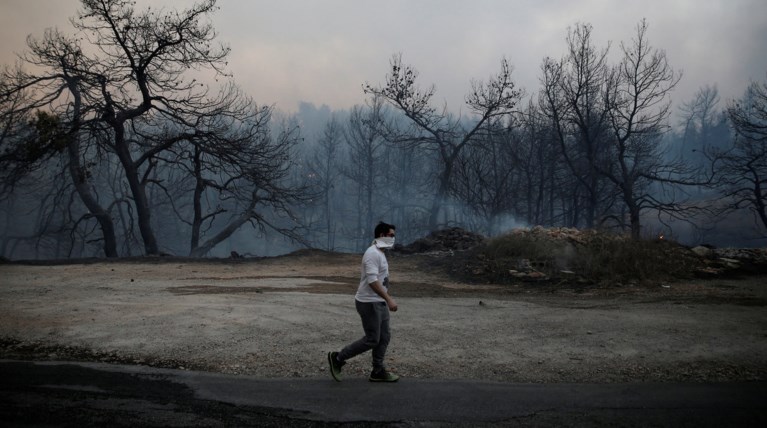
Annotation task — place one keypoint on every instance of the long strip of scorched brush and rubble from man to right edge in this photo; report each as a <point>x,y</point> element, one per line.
<point>572,257</point>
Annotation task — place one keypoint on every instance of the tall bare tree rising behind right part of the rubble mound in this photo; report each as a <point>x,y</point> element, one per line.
<point>638,109</point>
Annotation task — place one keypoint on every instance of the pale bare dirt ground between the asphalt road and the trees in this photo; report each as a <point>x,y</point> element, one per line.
<point>278,317</point>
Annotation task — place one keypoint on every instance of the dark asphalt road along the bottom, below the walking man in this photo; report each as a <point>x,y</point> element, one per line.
<point>91,394</point>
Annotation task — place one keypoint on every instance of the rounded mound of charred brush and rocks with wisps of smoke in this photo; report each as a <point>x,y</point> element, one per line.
<point>566,255</point>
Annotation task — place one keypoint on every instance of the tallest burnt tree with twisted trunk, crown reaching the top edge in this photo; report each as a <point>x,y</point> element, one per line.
<point>141,67</point>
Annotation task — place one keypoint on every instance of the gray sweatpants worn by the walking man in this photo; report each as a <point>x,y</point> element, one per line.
<point>375,322</point>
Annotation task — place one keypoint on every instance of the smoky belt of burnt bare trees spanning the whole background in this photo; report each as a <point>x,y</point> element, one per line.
<point>126,135</point>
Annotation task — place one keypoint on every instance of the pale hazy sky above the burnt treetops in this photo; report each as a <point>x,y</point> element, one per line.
<point>322,51</point>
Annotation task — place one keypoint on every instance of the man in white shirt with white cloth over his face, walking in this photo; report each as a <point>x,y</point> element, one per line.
<point>373,304</point>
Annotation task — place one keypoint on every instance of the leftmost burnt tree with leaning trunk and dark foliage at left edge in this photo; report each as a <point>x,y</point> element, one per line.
<point>61,97</point>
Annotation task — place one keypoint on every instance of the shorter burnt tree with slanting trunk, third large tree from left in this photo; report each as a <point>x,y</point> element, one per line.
<point>238,166</point>
